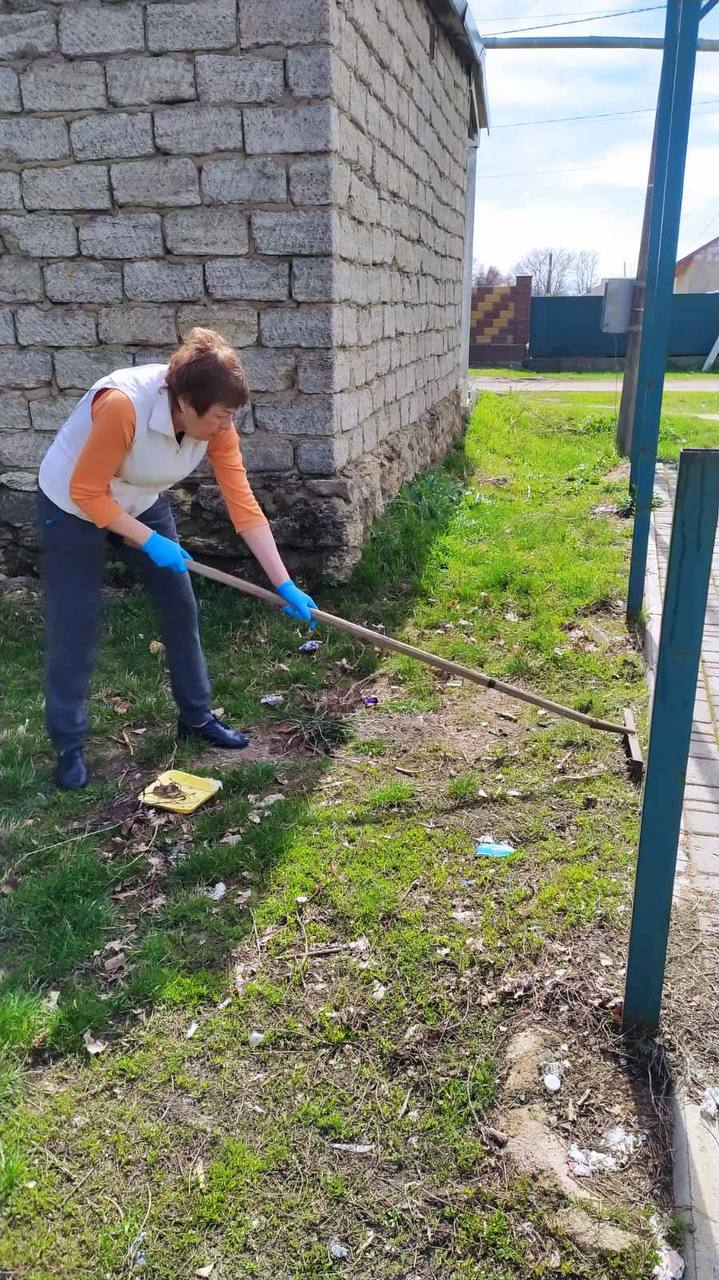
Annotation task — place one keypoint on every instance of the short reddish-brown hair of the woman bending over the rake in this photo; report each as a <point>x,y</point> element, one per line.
<point>207,371</point>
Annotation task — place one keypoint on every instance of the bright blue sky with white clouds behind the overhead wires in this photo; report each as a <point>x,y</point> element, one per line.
<point>598,202</point>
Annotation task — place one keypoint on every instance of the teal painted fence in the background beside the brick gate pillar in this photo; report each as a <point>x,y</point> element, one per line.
<point>573,327</point>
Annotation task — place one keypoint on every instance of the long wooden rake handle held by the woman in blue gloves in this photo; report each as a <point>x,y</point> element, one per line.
<point>432,660</point>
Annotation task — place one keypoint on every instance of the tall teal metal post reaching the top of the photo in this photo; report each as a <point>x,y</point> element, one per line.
<point>672,138</point>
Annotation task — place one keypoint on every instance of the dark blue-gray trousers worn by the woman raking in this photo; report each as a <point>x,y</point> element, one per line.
<point>74,564</point>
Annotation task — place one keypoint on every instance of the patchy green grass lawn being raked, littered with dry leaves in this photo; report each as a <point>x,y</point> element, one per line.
<point>304,1076</point>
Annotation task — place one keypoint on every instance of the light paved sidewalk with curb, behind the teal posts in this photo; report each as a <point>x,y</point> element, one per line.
<point>697,1141</point>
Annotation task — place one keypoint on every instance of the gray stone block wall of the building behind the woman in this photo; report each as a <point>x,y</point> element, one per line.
<point>288,172</point>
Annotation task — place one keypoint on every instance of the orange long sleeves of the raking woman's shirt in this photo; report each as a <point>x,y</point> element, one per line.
<point>111,440</point>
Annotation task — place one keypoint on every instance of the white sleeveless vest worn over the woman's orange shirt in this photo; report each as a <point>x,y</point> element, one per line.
<point>155,460</point>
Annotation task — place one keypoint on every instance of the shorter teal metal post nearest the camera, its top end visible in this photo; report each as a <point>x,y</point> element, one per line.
<point>680,648</point>
